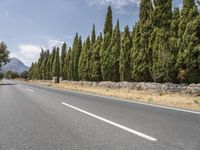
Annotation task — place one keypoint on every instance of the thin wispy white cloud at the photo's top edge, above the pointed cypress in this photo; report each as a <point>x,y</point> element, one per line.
<point>118,4</point>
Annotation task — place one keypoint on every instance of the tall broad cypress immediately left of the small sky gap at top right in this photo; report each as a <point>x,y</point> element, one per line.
<point>160,41</point>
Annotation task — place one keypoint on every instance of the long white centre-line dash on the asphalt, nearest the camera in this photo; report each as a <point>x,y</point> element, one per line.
<point>113,123</point>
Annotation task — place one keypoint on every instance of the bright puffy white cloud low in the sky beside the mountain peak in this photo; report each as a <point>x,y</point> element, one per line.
<point>27,53</point>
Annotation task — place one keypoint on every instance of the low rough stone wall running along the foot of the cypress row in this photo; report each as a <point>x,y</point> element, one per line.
<point>193,89</point>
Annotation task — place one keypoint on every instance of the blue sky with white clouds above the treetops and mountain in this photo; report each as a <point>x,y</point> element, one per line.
<point>27,25</point>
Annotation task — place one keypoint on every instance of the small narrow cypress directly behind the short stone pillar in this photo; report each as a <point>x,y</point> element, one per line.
<point>56,65</point>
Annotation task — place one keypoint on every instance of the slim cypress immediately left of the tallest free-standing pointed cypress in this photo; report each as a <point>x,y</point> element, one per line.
<point>96,65</point>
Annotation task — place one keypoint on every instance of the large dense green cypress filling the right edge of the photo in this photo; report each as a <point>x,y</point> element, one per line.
<point>188,16</point>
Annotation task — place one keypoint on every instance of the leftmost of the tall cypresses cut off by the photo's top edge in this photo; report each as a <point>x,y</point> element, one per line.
<point>142,54</point>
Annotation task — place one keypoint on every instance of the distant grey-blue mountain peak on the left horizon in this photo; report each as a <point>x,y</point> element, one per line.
<point>14,65</point>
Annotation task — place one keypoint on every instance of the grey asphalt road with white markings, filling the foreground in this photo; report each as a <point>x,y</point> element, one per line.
<point>42,118</point>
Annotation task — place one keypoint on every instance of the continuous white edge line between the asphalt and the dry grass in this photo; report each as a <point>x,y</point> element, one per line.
<point>135,102</point>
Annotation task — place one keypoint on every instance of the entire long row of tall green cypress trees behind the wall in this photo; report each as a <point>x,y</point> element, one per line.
<point>164,46</point>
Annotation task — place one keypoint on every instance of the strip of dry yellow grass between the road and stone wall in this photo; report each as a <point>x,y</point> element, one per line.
<point>174,100</point>
